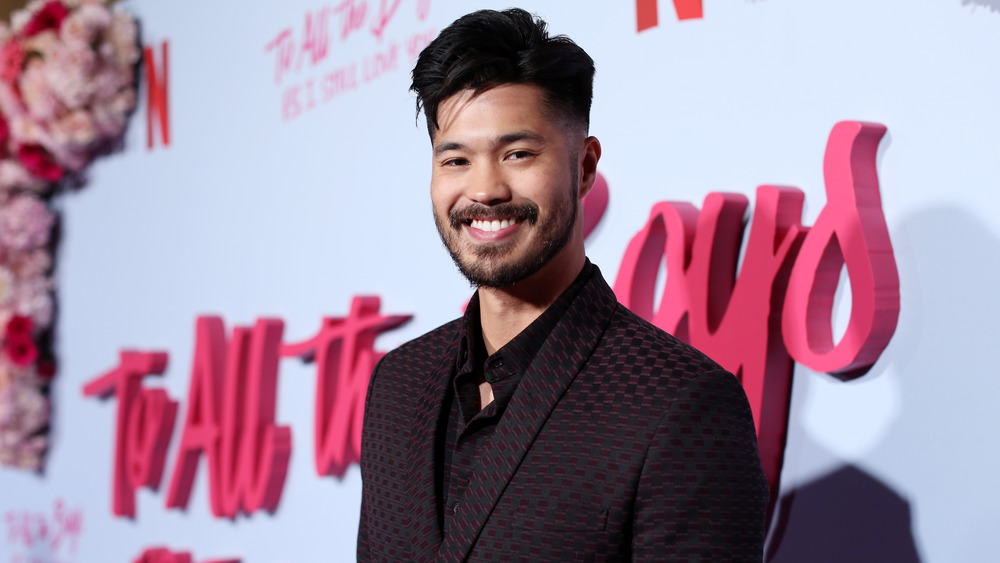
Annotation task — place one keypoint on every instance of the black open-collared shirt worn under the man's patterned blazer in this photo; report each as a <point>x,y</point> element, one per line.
<point>469,428</point>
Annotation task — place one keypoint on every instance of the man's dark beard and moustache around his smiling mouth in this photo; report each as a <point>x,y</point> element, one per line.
<point>484,264</point>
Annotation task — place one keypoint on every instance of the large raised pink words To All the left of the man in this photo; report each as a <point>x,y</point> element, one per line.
<point>230,419</point>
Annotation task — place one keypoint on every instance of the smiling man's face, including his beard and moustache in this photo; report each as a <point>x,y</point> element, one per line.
<point>504,185</point>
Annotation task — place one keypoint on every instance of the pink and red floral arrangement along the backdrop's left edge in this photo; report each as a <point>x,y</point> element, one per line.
<point>67,87</point>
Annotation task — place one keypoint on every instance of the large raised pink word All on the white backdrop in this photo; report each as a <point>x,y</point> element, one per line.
<point>230,419</point>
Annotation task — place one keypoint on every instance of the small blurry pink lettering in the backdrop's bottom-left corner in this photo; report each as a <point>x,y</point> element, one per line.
<point>43,536</point>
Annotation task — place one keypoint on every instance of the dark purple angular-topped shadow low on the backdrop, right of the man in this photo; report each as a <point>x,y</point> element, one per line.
<point>847,515</point>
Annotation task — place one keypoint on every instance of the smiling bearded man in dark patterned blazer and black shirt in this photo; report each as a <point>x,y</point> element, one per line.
<point>549,423</point>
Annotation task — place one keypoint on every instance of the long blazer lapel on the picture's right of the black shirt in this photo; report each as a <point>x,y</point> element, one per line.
<point>559,360</point>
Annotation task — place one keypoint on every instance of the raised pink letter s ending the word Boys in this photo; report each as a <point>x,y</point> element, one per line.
<point>850,230</point>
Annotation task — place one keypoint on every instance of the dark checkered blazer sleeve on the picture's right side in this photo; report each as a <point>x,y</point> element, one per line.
<point>702,495</point>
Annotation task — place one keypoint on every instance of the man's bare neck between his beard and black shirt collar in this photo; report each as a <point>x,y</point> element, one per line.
<point>505,312</point>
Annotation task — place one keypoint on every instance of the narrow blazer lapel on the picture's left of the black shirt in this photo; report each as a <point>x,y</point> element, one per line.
<point>422,475</point>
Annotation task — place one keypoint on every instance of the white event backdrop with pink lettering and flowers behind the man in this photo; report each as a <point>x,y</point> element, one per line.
<point>806,192</point>
